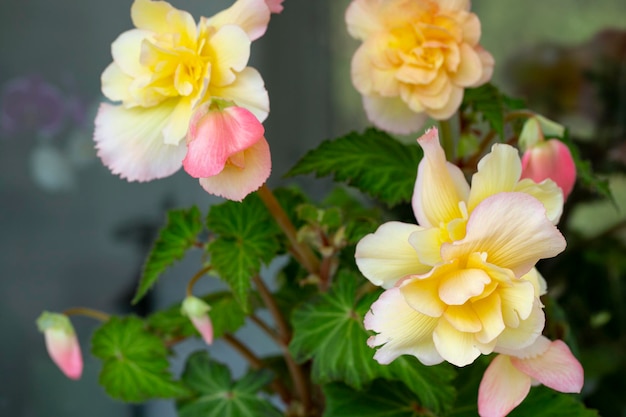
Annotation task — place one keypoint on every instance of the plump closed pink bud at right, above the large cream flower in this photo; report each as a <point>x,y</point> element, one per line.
<point>550,159</point>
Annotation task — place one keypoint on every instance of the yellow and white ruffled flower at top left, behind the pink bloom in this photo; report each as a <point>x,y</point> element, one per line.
<point>163,70</point>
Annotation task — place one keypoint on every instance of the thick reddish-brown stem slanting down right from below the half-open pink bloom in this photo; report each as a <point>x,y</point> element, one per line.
<point>303,253</point>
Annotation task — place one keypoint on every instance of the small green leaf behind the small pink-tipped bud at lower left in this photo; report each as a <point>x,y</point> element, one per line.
<point>226,315</point>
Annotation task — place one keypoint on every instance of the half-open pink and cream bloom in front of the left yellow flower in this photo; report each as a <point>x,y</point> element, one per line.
<point>227,151</point>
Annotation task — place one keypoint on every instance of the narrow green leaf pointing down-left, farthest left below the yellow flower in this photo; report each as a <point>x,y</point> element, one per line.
<point>178,235</point>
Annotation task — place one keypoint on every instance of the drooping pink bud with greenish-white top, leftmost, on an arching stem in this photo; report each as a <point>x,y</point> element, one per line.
<point>62,343</point>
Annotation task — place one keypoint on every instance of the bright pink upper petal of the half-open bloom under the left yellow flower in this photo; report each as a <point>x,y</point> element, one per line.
<point>216,135</point>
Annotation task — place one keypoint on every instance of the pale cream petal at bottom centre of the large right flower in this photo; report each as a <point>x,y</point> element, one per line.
<point>458,348</point>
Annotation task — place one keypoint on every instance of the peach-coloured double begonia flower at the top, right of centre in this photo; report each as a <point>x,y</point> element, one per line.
<point>416,59</point>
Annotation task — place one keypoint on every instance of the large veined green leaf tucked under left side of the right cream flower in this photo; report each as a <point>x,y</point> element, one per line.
<point>330,331</point>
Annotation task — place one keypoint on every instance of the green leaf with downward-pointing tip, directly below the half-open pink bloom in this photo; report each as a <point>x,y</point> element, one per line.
<point>246,237</point>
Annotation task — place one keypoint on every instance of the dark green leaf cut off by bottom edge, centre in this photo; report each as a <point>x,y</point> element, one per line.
<point>382,399</point>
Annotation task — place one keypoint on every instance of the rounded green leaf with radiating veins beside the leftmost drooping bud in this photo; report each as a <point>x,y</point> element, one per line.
<point>135,364</point>
